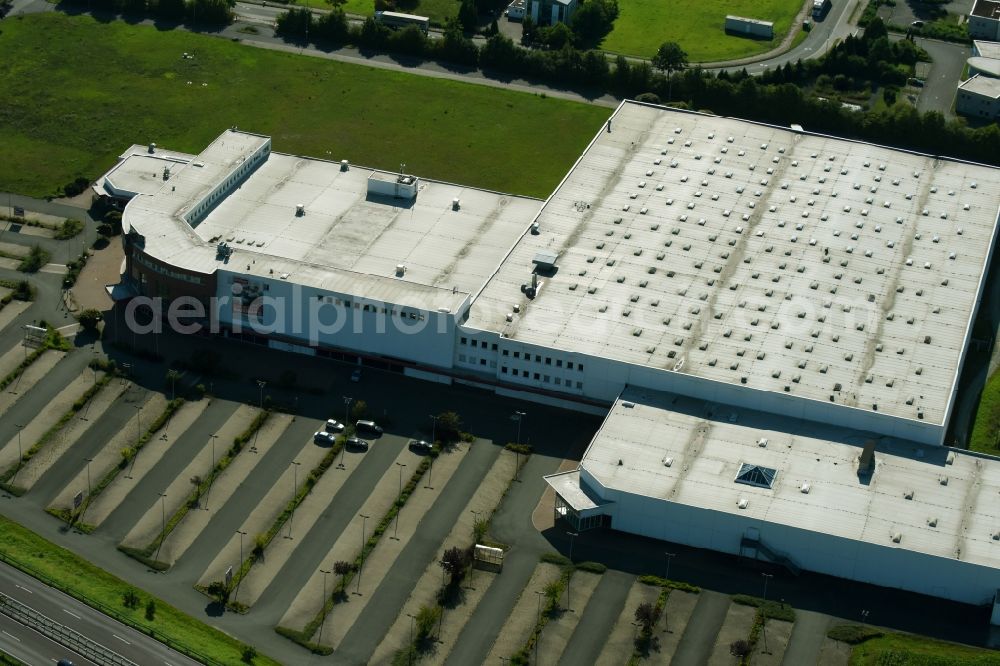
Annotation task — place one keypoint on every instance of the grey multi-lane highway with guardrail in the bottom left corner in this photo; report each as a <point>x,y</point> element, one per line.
<point>37,650</point>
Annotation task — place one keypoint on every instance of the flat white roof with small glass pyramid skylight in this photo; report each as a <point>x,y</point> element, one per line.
<point>952,489</point>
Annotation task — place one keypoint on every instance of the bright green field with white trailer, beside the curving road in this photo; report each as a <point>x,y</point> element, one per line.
<point>697,26</point>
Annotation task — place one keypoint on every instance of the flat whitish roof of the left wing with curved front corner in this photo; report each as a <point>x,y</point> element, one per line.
<point>346,240</point>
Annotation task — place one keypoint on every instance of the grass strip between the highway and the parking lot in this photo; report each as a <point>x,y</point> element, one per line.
<point>103,591</point>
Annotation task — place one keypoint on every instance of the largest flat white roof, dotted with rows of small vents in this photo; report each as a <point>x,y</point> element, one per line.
<point>746,253</point>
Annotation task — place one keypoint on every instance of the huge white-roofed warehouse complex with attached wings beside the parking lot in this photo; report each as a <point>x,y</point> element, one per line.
<point>721,283</point>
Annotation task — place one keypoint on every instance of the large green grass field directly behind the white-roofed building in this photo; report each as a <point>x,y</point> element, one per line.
<point>77,92</point>
